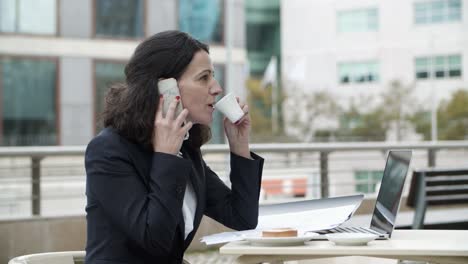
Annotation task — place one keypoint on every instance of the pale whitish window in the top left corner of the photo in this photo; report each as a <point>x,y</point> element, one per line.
<point>28,16</point>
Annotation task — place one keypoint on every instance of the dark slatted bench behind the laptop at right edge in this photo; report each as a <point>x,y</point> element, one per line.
<point>436,187</point>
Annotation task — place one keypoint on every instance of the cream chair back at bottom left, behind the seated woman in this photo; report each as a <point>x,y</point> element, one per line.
<point>64,257</point>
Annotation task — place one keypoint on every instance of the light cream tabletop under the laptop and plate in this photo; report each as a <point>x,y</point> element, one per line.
<point>417,243</point>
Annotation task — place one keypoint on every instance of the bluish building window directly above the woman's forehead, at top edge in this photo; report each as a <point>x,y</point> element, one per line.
<point>203,19</point>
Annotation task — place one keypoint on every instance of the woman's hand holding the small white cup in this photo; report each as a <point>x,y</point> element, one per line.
<point>238,133</point>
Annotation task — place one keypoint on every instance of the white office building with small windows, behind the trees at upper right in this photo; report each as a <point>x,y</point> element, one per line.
<point>356,47</point>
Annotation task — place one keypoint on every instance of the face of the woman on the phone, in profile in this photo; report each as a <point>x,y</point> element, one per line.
<point>198,89</point>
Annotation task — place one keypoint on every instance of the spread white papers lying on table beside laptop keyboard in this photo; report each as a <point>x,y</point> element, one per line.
<point>306,220</point>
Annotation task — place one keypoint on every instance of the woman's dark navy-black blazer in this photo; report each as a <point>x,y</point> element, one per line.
<point>135,197</point>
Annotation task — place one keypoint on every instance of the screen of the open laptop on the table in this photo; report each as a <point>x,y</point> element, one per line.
<point>391,188</point>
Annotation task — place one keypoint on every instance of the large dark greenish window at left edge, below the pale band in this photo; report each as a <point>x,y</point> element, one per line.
<point>28,110</point>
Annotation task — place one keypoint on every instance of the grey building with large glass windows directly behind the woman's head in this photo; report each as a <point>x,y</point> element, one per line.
<point>52,90</point>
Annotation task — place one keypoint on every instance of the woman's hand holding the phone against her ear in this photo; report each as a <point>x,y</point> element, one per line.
<point>168,132</point>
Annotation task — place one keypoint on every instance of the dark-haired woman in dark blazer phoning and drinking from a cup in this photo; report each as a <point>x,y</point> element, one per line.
<point>147,188</point>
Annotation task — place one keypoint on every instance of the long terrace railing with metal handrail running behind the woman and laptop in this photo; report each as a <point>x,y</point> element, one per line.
<point>50,181</point>
